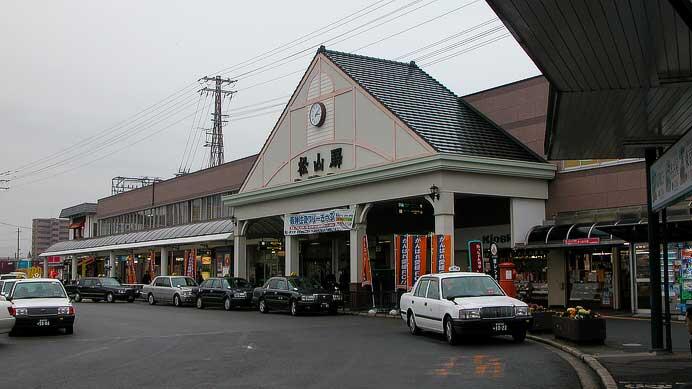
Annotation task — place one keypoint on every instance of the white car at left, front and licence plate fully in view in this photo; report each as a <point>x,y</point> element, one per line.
<point>40,303</point>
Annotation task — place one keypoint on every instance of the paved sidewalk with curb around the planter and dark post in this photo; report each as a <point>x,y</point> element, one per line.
<point>627,358</point>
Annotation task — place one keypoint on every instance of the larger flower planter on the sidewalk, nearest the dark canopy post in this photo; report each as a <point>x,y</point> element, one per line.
<point>579,325</point>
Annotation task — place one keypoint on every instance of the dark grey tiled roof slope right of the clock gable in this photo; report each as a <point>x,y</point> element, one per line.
<point>439,116</point>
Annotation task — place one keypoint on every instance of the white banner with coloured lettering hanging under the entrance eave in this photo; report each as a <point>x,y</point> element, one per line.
<point>316,222</point>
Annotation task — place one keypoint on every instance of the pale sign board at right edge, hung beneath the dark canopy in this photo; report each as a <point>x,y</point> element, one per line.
<point>671,174</point>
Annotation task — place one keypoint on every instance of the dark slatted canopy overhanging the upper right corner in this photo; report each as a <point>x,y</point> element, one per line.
<point>620,72</point>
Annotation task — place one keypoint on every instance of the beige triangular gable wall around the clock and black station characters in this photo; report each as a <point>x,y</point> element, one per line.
<point>366,132</point>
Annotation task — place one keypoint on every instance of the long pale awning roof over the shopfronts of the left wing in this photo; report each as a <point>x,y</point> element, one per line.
<point>218,230</point>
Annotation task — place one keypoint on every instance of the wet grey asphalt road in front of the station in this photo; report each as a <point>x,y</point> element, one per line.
<point>125,345</point>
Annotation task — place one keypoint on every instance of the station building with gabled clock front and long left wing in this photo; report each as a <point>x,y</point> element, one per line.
<point>381,143</point>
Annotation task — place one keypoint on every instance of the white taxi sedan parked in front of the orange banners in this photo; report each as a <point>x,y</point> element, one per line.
<point>457,303</point>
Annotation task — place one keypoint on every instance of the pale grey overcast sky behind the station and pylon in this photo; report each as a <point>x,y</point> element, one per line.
<point>75,73</point>
